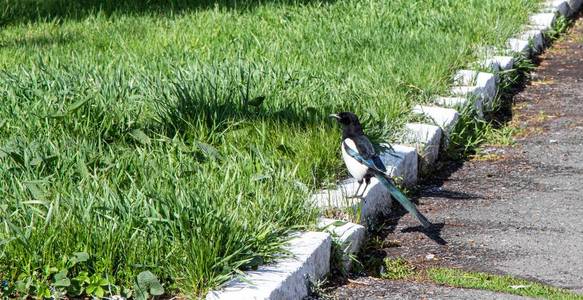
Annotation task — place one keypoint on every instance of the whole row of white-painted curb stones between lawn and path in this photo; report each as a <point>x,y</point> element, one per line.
<point>289,278</point>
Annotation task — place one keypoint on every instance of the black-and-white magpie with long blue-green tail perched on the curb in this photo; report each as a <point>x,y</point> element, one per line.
<point>363,163</point>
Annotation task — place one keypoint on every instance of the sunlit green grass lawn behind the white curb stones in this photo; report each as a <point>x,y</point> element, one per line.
<point>183,137</point>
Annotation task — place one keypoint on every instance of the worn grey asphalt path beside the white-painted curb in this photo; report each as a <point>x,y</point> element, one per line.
<point>520,213</point>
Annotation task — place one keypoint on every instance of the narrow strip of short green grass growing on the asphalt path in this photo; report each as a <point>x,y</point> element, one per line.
<point>505,284</point>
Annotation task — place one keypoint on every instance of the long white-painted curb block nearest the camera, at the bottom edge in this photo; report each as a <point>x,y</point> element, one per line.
<point>287,278</point>
